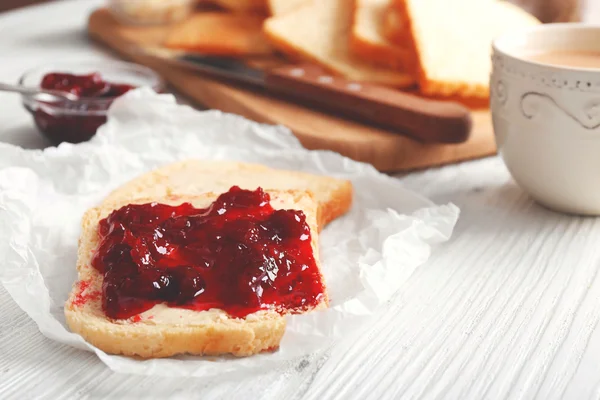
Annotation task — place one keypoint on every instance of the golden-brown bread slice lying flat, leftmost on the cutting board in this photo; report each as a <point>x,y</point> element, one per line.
<point>221,34</point>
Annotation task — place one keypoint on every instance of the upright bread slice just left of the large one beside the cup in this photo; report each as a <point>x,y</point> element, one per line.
<point>367,39</point>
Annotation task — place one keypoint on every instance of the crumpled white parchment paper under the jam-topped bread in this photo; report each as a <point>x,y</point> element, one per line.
<point>367,255</point>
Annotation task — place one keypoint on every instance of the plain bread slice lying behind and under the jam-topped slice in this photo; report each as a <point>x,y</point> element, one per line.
<point>194,177</point>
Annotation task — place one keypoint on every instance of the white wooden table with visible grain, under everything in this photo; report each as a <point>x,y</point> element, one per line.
<point>508,309</point>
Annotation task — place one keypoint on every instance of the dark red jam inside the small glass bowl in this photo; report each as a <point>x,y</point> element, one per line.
<point>64,121</point>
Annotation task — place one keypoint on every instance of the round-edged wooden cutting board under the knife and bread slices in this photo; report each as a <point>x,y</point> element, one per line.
<point>315,130</point>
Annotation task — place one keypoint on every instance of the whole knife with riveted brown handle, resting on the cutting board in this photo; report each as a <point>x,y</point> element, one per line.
<point>429,121</point>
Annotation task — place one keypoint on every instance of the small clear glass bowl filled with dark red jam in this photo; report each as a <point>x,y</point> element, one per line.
<point>97,84</point>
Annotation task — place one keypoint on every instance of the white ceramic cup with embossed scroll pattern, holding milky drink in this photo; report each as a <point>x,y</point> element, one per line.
<point>547,118</point>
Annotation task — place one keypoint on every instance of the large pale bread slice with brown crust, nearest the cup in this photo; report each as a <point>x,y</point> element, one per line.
<point>452,41</point>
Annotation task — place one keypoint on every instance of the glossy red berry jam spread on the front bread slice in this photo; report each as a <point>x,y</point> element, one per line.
<point>238,255</point>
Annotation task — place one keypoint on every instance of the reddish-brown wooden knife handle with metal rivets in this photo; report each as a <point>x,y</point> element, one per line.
<point>425,120</point>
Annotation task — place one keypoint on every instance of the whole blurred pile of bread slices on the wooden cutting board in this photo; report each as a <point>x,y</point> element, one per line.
<point>440,47</point>
